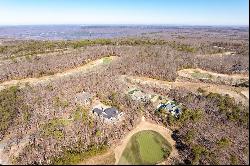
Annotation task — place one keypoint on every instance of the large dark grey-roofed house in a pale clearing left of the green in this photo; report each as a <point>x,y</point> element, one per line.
<point>108,114</point>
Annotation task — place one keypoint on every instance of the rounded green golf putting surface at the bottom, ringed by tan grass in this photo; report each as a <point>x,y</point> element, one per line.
<point>145,147</point>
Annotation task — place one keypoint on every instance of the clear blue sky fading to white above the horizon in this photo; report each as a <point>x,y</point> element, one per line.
<point>170,12</point>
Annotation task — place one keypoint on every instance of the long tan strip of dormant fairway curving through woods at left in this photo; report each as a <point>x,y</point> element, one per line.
<point>71,72</point>
